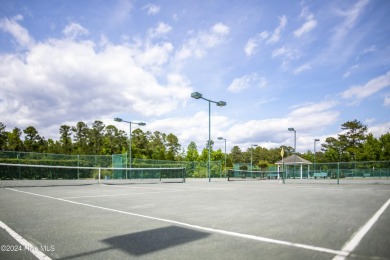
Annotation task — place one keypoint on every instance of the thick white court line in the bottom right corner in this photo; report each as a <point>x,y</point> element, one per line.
<point>356,238</point>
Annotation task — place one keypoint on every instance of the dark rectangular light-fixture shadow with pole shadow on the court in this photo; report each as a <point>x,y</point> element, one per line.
<point>149,241</point>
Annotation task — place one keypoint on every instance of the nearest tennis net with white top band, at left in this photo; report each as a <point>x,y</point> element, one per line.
<point>45,175</point>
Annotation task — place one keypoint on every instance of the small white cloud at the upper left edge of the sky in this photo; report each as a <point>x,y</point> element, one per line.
<point>20,34</point>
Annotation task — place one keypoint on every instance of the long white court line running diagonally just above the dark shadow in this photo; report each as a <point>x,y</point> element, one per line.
<point>212,230</point>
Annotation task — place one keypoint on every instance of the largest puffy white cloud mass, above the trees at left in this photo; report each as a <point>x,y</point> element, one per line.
<point>61,80</point>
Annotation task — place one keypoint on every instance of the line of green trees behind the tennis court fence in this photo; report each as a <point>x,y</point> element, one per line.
<point>353,144</point>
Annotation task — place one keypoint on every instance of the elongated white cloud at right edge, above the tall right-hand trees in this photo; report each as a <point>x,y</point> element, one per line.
<point>371,87</point>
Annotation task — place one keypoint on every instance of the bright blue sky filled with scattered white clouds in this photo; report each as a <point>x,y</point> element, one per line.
<point>311,65</point>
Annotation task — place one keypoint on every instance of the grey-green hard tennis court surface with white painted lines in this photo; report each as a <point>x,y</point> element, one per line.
<point>196,220</point>
